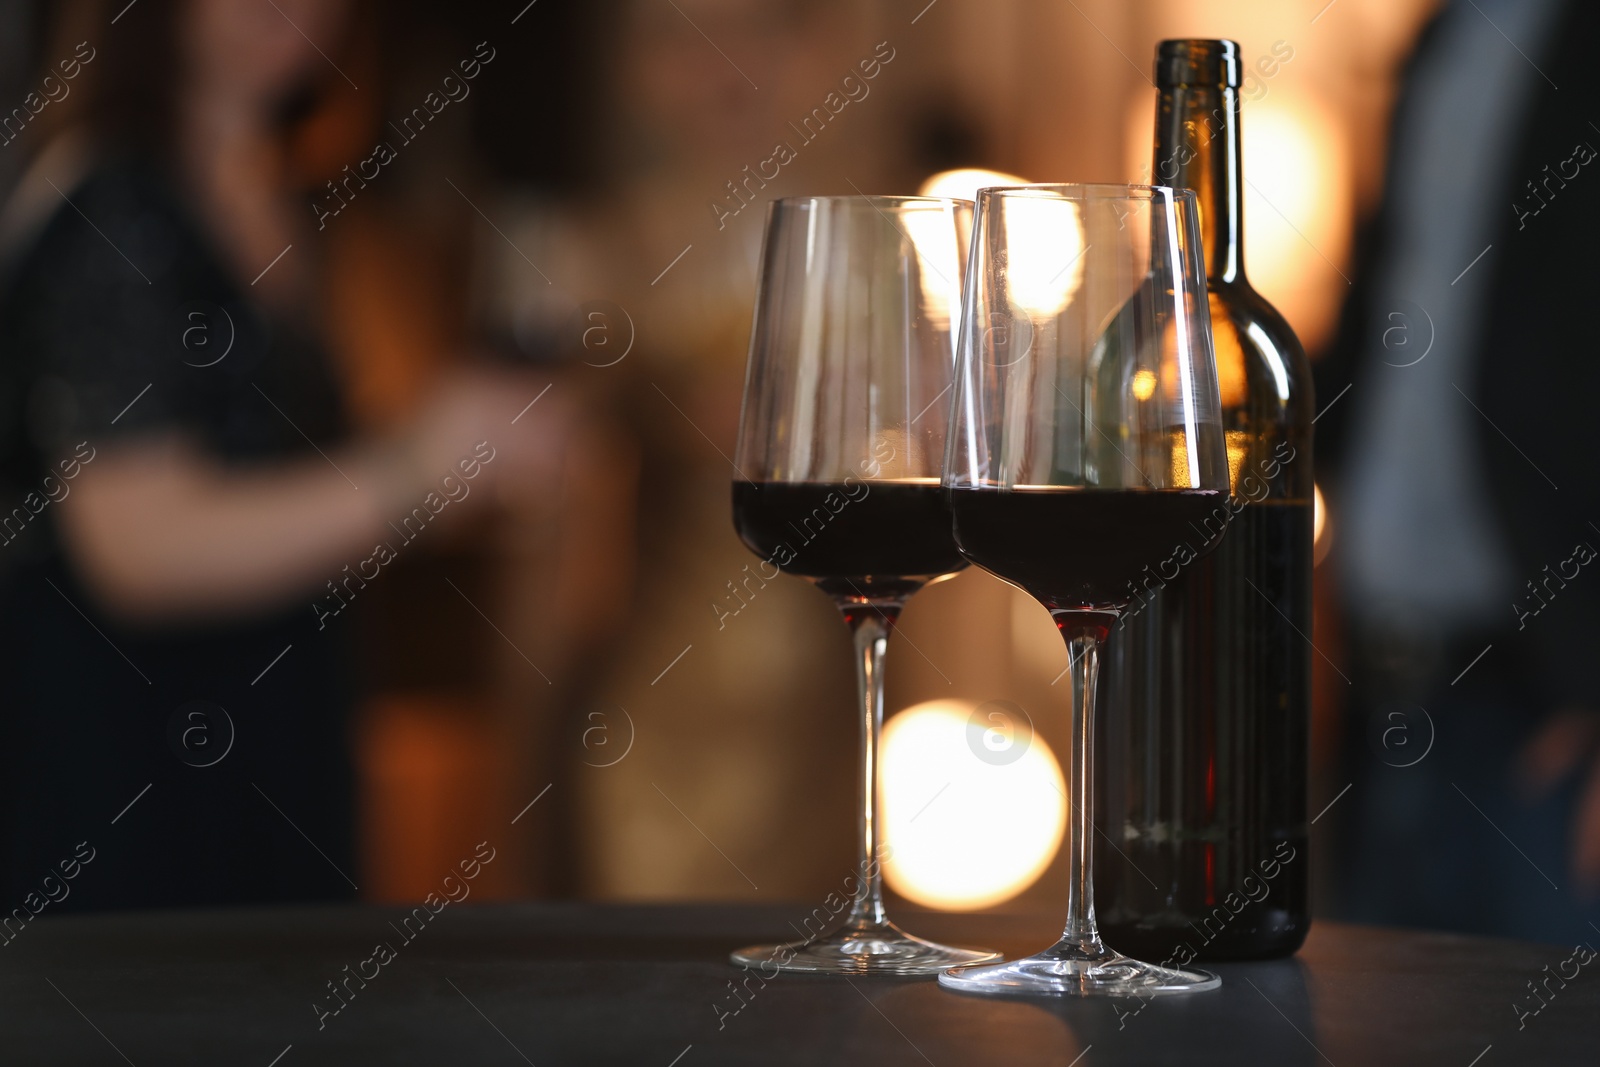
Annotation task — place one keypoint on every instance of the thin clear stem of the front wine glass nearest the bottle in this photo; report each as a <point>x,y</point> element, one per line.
<point>1084,657</point>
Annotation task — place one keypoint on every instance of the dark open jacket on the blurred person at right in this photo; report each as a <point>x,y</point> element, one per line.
<point>1534,369</point>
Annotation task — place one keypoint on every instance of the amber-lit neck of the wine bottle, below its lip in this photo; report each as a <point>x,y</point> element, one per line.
<point>1198,148</point>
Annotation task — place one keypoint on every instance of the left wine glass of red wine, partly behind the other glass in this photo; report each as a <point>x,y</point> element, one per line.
<point>841,439</point>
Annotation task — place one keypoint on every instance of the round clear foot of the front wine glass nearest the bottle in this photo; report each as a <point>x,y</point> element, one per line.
<point>1071,970</point>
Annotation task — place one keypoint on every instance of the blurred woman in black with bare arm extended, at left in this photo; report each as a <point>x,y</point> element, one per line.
<point>186,513</point>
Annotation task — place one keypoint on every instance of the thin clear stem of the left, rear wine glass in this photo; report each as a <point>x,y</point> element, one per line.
<point>870,626</point>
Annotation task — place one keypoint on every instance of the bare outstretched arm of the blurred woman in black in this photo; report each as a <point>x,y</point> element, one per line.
<point>159,532</point>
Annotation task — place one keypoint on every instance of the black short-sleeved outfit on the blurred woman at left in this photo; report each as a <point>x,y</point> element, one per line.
<point>121,321</point>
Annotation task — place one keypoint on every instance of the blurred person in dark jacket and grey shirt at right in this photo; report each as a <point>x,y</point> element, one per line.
<point>1465,494</point>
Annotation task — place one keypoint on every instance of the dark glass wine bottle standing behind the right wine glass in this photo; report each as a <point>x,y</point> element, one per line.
<point>1202,804</point>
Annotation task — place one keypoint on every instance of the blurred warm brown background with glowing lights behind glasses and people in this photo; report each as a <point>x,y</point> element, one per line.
<point>593,212</point>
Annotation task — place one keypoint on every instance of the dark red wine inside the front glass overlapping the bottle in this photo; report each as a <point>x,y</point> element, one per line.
<point>1081,549</point>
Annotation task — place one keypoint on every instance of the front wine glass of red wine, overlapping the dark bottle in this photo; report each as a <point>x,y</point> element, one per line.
<point>1086,447</point>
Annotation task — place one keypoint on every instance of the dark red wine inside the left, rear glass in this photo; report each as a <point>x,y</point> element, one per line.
<point>852,538</point>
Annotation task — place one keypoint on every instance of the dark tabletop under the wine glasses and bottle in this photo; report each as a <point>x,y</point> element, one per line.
<point>650,986</point>
